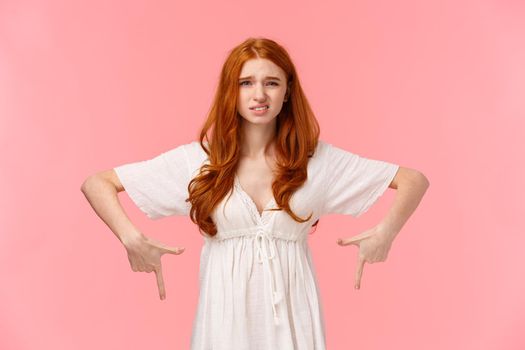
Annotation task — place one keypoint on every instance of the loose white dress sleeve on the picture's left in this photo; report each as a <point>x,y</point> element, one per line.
<point>158,186</point>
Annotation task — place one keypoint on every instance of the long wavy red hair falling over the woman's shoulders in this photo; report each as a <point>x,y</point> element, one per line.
<point>297,135</point>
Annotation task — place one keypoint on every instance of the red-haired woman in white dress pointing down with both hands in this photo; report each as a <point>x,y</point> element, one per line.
<point>255,187</point>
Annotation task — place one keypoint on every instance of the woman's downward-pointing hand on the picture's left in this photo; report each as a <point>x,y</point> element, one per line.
<point>144,254</point>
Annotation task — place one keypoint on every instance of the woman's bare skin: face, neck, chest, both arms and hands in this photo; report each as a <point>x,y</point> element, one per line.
<point>255,173</point>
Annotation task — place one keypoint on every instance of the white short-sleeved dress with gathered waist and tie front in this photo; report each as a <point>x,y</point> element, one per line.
<point>258,288</point>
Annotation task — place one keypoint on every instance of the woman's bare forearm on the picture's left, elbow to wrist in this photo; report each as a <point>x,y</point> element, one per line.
<point>103,197</point>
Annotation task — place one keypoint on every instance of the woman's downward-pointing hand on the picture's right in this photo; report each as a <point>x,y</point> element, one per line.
<point>373,245</point>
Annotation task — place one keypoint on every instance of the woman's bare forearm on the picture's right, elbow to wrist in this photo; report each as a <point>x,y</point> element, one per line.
<point>409,193</point>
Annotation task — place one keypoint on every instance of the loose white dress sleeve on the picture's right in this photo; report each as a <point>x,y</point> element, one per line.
<point>354,183</point>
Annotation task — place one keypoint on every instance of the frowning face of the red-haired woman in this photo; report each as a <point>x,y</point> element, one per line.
<point>261,82</point>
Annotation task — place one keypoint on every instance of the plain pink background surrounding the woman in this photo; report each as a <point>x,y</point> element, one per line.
<point>433,85</point>
